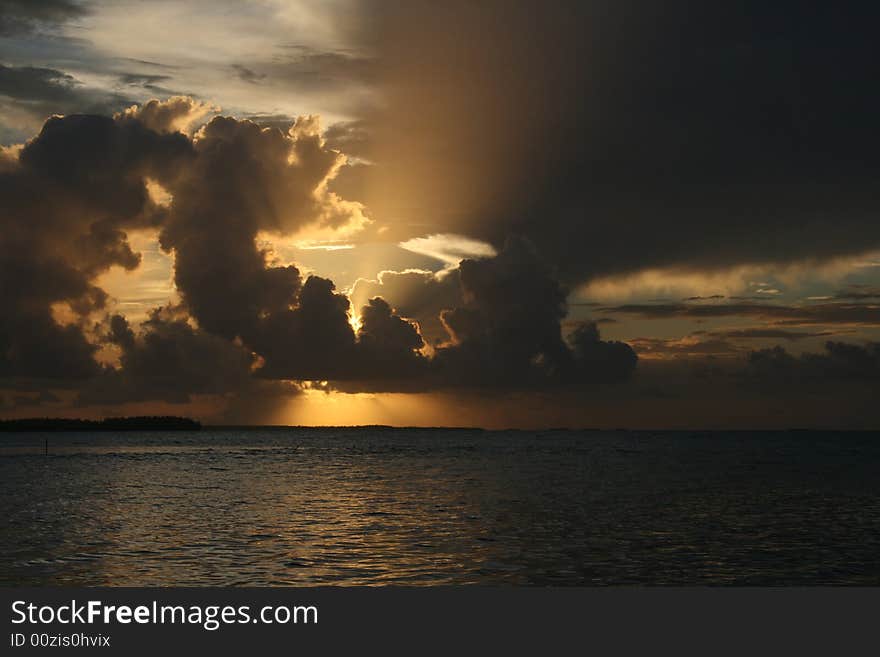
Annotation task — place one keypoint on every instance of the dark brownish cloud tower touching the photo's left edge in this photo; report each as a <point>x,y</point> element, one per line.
<point>68,199</point>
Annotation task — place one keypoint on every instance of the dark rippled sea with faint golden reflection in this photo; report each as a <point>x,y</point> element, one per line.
<point>410,507</point>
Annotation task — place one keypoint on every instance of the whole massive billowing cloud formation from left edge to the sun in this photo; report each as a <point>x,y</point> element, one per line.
<point>73,191</point>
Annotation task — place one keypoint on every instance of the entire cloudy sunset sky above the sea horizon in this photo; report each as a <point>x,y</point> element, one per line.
<point>498,214</point>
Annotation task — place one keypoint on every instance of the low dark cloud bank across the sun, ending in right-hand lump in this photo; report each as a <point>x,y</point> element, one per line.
<point>502,322</point>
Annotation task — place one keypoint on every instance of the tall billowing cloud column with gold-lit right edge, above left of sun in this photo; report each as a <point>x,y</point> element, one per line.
<point>246,179</point>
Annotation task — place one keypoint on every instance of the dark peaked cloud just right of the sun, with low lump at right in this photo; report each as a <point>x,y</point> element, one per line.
<point>508,333</point>
